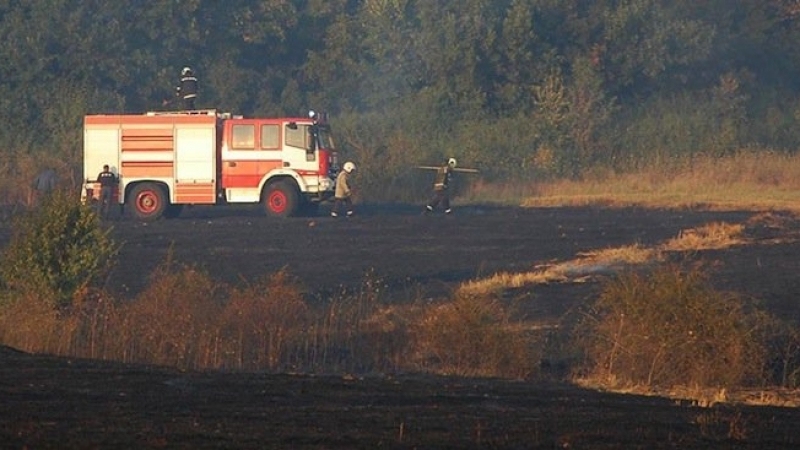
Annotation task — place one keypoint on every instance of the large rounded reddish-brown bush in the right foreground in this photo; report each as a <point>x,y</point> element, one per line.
<point>669,327</point>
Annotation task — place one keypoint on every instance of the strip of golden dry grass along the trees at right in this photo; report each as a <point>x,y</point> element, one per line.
<point>749,180</point>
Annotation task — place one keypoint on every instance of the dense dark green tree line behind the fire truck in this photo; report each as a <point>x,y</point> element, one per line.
<point>522,88</point>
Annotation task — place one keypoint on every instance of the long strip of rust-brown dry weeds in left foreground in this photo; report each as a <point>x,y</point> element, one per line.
<point>184,319</point>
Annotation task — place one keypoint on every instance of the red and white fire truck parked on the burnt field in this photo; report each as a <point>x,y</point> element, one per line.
<point>165,160</point>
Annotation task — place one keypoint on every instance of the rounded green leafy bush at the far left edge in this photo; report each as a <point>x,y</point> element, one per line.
<point>57,252</point>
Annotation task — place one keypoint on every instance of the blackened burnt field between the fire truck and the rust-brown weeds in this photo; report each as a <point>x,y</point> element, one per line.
<point>395,243</point>
